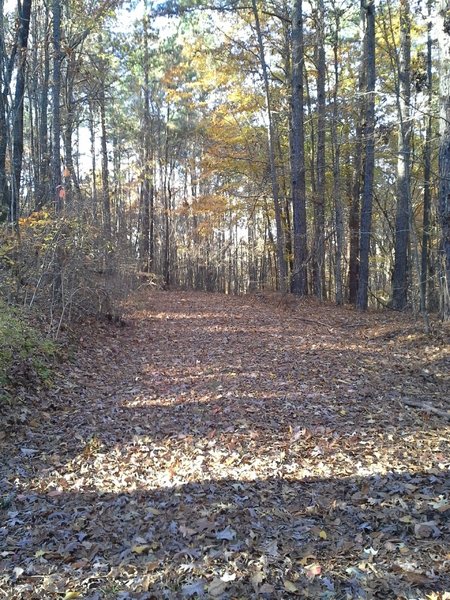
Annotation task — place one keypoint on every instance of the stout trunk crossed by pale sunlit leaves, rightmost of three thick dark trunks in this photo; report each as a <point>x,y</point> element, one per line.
<point>400,275</point>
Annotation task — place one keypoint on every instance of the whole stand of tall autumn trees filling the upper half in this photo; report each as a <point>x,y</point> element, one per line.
<point>226,148</point>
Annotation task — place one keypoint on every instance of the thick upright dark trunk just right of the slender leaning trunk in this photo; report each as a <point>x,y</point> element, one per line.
<point>299,275</point>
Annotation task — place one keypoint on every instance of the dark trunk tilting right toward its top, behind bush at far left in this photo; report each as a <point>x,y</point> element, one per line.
<point>17,132</point>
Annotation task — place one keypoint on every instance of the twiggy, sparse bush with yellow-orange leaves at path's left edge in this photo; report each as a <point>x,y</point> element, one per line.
<point>63,267</point>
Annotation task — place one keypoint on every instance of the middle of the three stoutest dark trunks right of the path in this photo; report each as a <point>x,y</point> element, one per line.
<point>369,166</point>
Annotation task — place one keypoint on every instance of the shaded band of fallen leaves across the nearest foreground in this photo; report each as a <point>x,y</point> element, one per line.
<point>383,536</point>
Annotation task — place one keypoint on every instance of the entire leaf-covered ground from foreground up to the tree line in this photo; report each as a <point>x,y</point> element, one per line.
<point>234,448</point>
